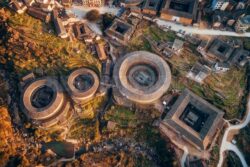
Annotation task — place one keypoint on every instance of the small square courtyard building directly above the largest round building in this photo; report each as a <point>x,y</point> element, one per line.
<point>120,31</point>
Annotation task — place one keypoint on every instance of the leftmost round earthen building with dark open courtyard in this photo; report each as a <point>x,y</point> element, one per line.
<point>44,102</point>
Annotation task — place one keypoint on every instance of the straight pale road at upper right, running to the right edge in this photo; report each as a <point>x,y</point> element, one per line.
<point>193,30</point>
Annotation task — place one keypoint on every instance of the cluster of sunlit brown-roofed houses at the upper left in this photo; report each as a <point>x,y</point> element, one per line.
<point>66,24</point>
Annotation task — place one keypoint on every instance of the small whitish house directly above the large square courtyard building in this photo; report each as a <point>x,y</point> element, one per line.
<point>198,73</point>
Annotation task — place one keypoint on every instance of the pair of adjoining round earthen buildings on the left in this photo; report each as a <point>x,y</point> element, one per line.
<point>45,100</point>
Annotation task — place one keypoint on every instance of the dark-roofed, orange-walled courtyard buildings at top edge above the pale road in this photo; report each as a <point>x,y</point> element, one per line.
<point>182,11</point>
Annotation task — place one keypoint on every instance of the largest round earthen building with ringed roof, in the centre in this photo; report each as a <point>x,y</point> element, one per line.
<point>142,77</point>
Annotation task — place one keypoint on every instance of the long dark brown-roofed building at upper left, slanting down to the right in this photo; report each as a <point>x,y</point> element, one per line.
<point>39,14</point>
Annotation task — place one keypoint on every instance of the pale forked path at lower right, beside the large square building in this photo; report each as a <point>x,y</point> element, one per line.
<point>227,146</point>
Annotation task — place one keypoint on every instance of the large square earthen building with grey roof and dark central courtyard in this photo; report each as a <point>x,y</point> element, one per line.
<point>193,120</point>
